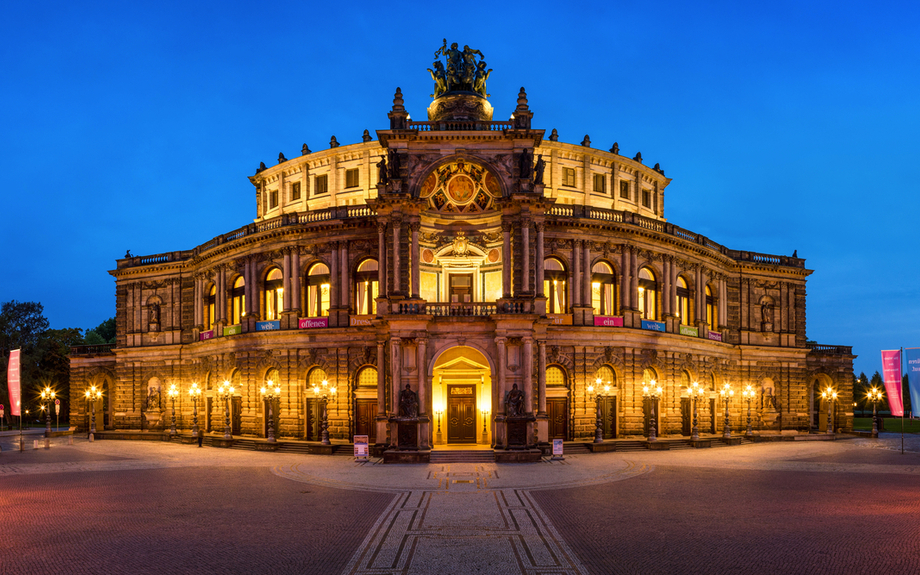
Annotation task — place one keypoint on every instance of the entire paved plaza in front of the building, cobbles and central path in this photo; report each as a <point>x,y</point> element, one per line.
<point>850,506</point>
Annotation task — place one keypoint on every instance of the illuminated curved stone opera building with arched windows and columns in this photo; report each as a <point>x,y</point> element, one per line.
<point>461,258</point>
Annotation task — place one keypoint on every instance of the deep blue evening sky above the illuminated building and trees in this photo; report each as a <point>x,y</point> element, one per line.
<point>785,126</point>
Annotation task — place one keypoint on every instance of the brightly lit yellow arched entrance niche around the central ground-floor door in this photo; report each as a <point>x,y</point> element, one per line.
<point>462,397</point>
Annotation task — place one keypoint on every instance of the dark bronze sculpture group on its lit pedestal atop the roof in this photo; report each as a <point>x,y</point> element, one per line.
<point>459,86</point>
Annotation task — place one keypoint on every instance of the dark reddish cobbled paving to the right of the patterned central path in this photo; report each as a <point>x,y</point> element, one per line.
<point>703,520</point>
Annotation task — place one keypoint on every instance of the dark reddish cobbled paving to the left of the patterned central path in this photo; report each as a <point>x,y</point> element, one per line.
<point>189,520</point>
